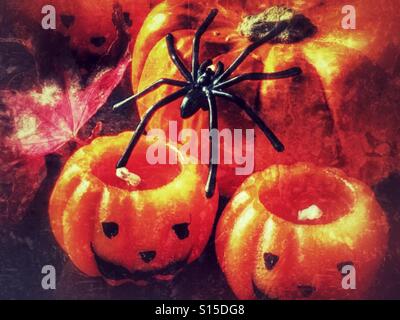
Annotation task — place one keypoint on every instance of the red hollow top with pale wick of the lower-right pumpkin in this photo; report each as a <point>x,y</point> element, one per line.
<point>309,198</point>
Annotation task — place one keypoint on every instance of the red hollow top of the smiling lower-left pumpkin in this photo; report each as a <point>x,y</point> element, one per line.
<point>152,176</point>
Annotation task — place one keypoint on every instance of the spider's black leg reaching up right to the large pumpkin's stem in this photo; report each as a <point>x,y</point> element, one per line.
<point>279,28</point>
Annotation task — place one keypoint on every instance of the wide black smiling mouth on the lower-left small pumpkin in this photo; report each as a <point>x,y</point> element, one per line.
<point>116,272</point>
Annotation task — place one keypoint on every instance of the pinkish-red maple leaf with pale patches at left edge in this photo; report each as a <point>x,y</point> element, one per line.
<point>47,117</point>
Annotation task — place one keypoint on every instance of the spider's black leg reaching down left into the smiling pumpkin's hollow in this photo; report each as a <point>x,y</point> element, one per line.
<point>142,125</point>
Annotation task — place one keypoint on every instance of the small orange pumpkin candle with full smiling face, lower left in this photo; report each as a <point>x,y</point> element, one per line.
<point>125,233</point>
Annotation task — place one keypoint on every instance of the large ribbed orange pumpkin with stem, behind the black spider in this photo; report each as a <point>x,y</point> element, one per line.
<point>342,111</point>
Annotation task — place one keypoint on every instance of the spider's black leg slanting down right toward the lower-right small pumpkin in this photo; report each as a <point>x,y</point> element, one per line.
<point>276,143</point>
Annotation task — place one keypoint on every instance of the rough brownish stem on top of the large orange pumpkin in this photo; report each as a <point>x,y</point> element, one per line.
<point>255,27</point>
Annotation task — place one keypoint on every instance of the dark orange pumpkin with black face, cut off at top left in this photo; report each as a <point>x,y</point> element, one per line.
<point>89,24</point>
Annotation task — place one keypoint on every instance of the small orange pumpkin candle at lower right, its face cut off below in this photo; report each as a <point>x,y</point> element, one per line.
<point>290,230</point>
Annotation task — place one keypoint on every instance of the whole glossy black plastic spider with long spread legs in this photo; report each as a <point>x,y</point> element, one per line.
<point>201,87</point>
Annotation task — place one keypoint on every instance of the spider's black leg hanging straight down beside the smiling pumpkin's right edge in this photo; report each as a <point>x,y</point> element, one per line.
<point>214,149</point>
